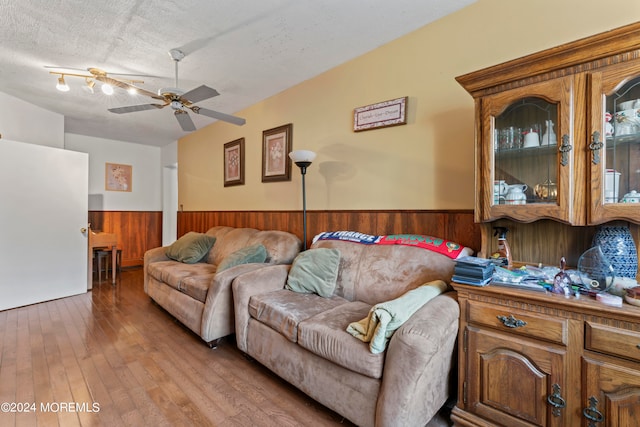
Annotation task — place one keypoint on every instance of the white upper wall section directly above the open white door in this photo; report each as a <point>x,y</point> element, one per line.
<point>24,122</point>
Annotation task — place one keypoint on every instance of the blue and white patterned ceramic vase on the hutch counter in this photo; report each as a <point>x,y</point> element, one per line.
<point>619,248</point>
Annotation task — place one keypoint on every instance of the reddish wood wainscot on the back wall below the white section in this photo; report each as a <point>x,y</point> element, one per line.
<point>137,231</point>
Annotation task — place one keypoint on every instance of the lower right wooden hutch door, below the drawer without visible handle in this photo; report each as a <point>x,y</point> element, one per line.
<point>617,390</point>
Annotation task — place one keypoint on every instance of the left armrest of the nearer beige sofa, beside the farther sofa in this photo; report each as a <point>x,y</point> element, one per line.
<point>257,282</point>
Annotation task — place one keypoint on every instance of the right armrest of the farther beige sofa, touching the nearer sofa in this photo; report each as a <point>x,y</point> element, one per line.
<point>218,313</point>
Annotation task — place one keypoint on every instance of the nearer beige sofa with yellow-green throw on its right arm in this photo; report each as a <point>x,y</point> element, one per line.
<point>302,338</point>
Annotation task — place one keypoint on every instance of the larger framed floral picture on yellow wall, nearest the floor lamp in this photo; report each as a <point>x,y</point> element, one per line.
<point>276,146</point>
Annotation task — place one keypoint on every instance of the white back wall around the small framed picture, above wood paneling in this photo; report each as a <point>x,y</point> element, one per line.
<point>146,194</point>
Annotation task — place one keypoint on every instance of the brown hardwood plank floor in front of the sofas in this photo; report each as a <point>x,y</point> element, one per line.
<point>112,357</point>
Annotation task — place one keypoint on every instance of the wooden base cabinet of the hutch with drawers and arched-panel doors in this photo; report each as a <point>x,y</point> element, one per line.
<point>541,359</point>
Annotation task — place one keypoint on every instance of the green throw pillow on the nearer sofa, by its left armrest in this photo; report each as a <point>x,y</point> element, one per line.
<point>315,271</point>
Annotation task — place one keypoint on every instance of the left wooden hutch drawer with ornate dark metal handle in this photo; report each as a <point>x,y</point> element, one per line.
<point>518,322</point>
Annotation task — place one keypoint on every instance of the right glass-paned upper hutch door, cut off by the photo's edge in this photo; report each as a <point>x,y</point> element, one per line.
<point>614,155</point>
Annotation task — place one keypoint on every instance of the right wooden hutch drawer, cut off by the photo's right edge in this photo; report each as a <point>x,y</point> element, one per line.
<point>614,341</point>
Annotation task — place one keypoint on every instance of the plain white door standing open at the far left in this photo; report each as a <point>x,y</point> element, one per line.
<point>43,207</point>
